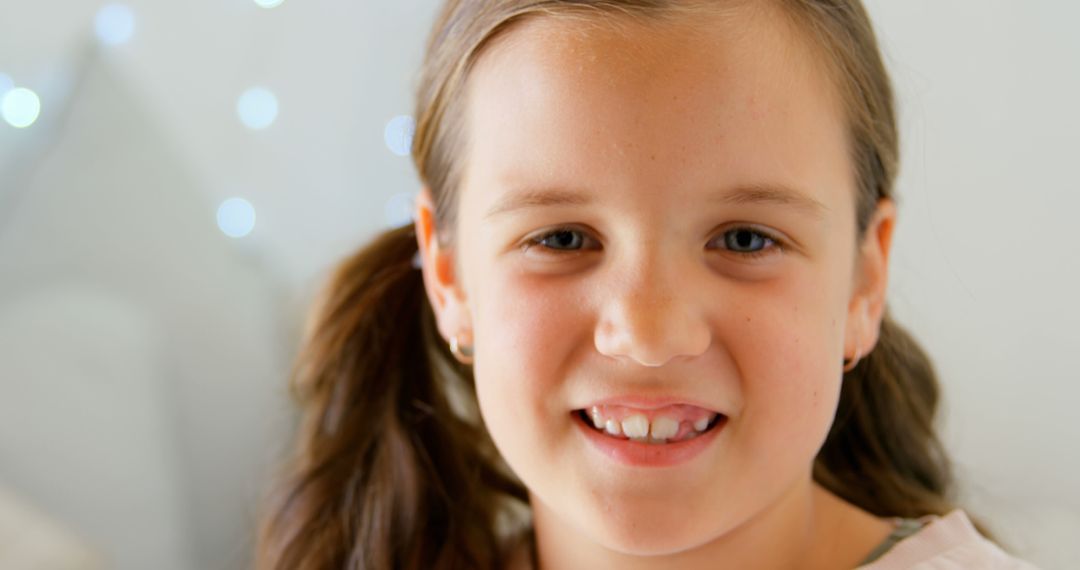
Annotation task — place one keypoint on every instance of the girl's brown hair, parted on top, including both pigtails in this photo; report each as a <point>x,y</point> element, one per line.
<point>394,467</point>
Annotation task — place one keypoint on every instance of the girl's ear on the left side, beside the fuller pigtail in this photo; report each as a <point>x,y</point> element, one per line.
<point>444,291</point>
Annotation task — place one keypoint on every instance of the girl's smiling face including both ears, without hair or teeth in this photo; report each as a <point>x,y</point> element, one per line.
<point>663,220</point>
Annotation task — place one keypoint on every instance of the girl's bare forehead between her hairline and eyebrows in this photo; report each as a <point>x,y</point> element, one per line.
<point>685,104</point>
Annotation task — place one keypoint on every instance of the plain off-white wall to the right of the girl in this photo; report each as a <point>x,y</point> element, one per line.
<point>988,265</point>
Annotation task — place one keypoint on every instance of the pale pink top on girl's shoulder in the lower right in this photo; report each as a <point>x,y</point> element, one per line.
<point>950,542</point>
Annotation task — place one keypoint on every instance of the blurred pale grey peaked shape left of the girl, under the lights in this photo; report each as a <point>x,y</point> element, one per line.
<point>143,354</point>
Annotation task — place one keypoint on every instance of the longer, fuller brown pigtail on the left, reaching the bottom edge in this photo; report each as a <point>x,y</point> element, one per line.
<point>387,472</point>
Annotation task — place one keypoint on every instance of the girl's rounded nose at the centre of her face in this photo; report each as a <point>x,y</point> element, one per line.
<point>652,319</point>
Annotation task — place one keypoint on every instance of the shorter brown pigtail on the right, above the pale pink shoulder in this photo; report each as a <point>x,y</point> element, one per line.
<point>883,452</point>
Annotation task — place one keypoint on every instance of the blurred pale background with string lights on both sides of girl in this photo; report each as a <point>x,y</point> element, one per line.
<point>178,179</point>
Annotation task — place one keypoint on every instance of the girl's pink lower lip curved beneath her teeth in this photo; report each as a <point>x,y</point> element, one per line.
<point>642,455</point>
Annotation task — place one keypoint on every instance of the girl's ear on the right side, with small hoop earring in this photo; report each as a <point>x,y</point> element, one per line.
<point>867,307</point>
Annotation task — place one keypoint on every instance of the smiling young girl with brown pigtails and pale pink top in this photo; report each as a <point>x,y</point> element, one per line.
<point>641,319</point>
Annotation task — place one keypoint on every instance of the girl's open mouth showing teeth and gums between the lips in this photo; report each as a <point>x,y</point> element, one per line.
<point>667,426</point>
